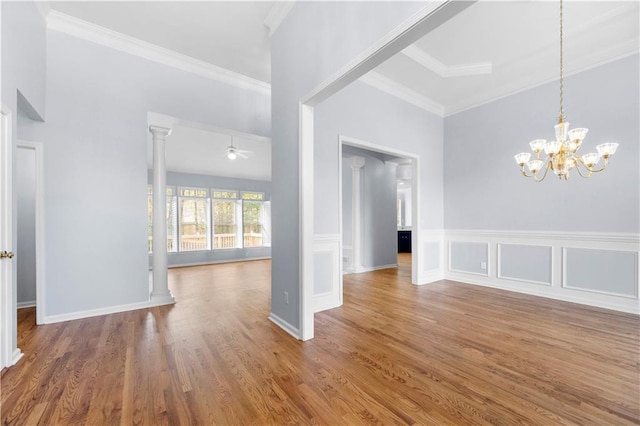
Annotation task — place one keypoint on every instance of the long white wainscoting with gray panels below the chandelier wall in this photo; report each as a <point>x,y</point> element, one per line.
<point>592,269</point>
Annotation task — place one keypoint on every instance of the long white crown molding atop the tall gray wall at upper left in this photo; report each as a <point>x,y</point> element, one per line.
<point>85,30</point>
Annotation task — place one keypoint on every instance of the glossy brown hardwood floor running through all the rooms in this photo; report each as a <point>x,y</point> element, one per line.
<point>445,353</point>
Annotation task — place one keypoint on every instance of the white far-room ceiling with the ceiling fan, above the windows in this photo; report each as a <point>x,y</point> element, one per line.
<point>199,151</point>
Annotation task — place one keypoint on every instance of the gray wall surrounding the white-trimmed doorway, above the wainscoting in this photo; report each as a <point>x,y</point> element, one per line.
<point>362,112</point>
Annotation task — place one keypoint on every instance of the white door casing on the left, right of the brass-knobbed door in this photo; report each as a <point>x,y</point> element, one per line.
<point>38,148</point>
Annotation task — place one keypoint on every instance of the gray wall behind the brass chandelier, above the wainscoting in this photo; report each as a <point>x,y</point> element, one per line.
<point>484,188</point>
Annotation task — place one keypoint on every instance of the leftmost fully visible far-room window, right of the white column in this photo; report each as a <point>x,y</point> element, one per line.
<point>194,219</point>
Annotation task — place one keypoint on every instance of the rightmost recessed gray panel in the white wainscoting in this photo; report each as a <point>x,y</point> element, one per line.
<point>611,272</point>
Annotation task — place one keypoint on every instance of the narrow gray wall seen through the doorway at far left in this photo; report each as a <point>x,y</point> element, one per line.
<point>26,245</point>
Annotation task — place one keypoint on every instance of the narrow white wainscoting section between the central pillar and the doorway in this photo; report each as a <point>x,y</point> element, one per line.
<point>327,272</point>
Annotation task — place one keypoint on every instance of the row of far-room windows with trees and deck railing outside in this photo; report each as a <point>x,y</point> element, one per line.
<point>212,219</point>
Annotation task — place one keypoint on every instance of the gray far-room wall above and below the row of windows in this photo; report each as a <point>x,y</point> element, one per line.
<point>217,182</point>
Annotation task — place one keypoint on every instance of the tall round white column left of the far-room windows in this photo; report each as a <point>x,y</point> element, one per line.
<point>160,293</point>
